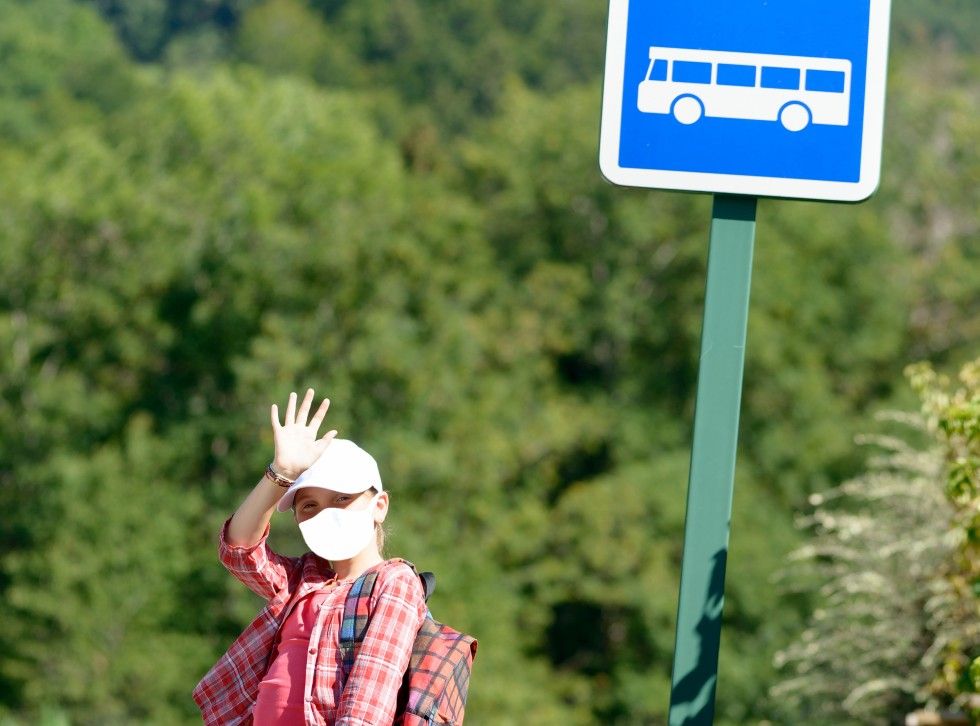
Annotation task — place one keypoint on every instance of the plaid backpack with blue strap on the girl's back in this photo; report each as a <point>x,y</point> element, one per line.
<point>436,682</point>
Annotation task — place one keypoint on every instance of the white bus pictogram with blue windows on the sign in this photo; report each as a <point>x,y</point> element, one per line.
<point>794,90</point>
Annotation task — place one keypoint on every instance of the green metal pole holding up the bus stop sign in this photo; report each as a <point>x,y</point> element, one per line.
<point>712,474</point>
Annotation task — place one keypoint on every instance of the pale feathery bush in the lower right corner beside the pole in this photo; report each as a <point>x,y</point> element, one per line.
<point>894,555</point>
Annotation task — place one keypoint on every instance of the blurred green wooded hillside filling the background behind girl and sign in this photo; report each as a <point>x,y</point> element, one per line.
<point>209,204</point>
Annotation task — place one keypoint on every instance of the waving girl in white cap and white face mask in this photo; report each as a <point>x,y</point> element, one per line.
<point>286,667</point>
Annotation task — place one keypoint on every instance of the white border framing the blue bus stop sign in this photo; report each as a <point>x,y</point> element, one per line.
<point>763,186</point>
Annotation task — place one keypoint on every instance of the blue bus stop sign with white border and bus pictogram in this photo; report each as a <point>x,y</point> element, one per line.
<point>779,98</point>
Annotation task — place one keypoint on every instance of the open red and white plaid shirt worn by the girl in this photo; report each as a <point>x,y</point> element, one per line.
<point>226,695</point>
